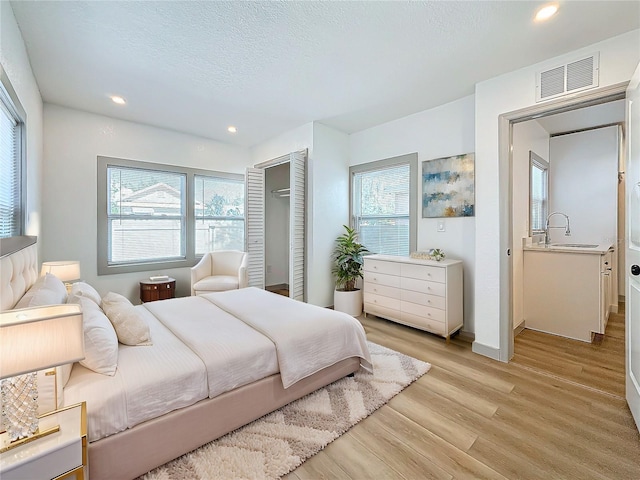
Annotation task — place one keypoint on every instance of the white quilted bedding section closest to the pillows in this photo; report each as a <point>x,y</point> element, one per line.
<point>150,380</point>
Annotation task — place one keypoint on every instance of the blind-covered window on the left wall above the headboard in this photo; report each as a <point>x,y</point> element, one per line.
<point>12,161</point>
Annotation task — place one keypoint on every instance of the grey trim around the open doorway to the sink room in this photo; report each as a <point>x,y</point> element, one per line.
<point>505,159</point>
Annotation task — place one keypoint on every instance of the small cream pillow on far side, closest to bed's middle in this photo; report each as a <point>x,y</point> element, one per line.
<point>130,327</point>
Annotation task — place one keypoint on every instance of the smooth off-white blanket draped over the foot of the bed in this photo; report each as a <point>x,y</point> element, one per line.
<point>307,338</point>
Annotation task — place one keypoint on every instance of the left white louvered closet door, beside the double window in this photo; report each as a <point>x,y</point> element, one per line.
<point>254,211</point>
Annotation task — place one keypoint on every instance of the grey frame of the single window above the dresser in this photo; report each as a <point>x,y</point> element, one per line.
<point>410,159</point>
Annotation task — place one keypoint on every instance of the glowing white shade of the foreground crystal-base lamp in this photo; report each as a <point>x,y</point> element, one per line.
<point>37,338</point>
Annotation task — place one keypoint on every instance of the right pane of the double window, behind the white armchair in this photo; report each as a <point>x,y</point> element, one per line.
<point>219,211</point>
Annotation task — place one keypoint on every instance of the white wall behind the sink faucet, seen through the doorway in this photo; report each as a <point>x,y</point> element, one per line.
<point>583,184</point>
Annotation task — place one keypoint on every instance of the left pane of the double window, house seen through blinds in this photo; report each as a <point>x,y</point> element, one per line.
<point>146,215</point>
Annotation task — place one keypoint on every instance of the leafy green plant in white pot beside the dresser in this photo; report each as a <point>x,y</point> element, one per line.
<point>347,268</point>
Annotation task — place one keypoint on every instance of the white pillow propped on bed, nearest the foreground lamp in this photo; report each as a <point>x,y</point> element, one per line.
<point>100,340</point>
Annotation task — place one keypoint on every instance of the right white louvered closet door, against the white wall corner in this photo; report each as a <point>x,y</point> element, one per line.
<point>297,225</point>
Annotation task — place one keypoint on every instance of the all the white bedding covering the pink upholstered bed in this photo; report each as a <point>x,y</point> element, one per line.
<point>208,345</point>
